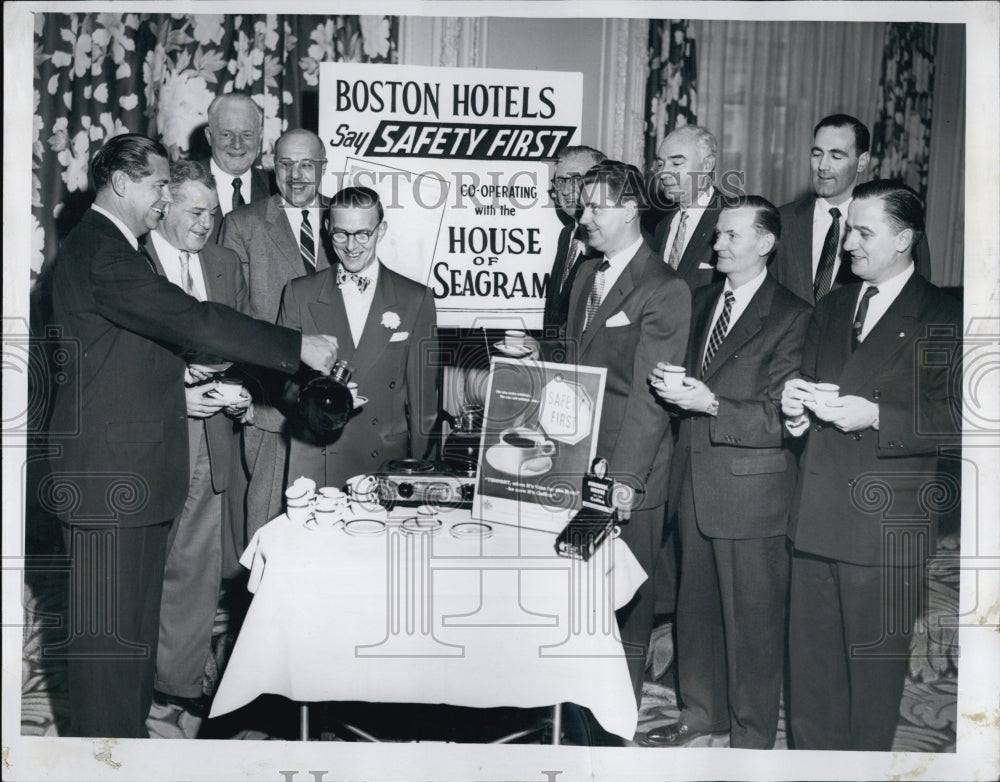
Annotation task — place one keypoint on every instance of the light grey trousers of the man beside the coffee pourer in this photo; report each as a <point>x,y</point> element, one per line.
<point>191,582</point>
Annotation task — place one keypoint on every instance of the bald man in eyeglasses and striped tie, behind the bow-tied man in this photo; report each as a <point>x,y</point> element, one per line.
<point>277,240</point>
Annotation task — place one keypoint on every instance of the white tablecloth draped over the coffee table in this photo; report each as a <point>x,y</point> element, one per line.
<point>433,619</point>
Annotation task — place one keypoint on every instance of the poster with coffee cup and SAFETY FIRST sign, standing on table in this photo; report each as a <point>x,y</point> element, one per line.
<point>539,437</point>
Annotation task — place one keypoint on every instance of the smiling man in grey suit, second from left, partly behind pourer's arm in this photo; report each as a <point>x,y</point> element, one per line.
<point>181,250</point>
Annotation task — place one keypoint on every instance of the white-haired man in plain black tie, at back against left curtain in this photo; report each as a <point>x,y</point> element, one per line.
<point>234,128</point>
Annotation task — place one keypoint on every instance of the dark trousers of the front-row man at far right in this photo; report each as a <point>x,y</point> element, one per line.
<point>848,646</point>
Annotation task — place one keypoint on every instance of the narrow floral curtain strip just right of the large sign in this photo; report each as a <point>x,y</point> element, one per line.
<point>671,87</point>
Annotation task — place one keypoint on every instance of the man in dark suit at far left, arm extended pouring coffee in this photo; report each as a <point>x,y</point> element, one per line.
<point>124,475</point>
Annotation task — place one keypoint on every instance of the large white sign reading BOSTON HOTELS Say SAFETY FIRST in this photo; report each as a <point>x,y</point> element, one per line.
<point>459,157</point>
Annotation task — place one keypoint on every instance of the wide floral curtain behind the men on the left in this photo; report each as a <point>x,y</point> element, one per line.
<point>98,75</point>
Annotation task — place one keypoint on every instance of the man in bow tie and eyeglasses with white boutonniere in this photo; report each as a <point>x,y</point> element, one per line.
<point>385,326</point>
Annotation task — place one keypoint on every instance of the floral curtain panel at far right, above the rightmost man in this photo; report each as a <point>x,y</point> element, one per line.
<point>901,137</point>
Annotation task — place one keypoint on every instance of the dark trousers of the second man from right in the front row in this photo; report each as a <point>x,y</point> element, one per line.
<point>730,631</point>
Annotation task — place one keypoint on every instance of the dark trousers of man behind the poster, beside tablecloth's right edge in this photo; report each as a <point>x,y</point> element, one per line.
<point>635,619</point>
